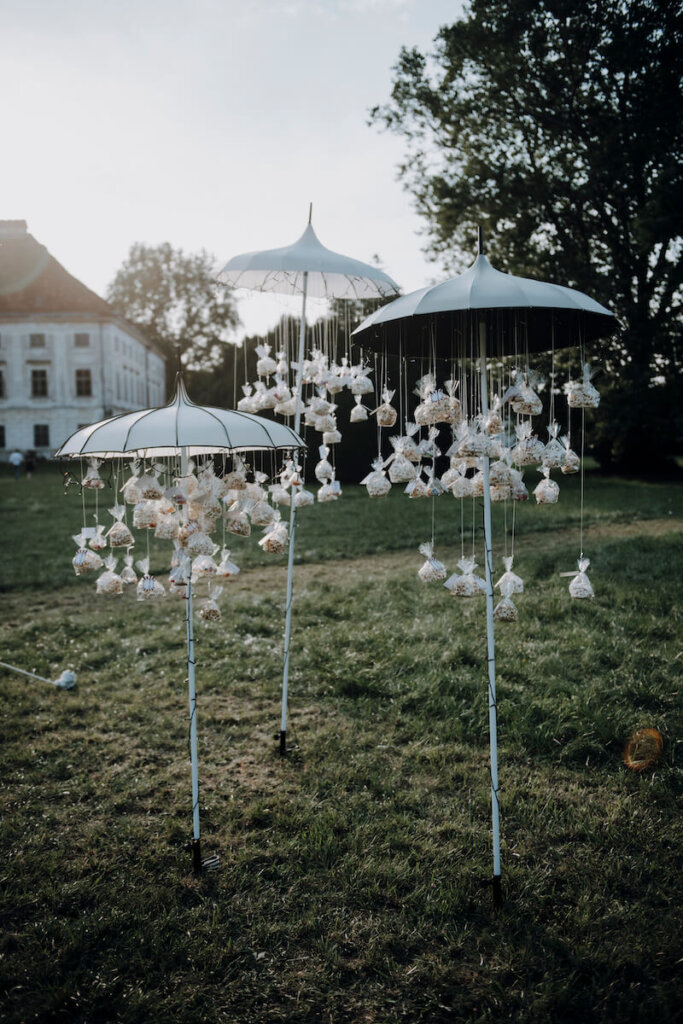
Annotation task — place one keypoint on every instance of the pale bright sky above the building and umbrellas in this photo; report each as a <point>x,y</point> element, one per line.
<point>210,124</point>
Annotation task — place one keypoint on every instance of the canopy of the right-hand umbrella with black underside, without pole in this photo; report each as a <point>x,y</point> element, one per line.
<point>526,314</point>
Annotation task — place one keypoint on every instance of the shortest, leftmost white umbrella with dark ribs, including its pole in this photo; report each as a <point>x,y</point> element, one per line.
<point>185,429</point>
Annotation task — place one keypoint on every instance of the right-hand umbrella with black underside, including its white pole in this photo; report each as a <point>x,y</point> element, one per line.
<point>511,315</point>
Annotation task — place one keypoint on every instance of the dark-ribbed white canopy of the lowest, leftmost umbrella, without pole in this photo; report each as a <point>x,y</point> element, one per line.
<point>181,424</point>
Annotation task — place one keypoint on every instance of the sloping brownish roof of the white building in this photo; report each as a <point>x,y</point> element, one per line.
<point>34,284</point>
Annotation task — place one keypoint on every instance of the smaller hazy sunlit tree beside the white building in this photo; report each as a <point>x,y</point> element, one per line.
<point>176,300</point>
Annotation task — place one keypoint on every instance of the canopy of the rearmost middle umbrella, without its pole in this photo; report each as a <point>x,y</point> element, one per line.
<point>330,274</point>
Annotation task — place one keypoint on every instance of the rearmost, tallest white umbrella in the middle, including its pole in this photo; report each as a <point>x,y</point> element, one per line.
<point>306,268</point>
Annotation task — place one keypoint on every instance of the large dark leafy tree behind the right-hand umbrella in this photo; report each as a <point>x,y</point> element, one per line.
<point>559,125</point>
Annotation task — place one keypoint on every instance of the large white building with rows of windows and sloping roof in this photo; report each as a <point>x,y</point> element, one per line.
<point>64,368</point>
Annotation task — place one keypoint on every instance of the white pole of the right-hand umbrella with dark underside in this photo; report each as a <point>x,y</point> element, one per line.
<point>491,643</point>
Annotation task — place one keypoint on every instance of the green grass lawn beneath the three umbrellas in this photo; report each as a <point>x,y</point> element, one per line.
<point>351,887</point>
